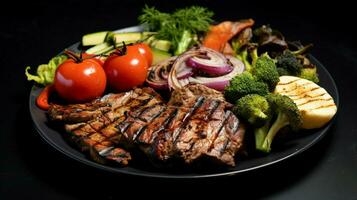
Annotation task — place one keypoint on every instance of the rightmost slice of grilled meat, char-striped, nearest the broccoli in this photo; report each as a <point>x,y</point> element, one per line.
<point>209,129</point>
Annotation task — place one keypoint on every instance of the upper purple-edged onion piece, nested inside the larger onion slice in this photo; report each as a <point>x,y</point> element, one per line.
<point>210,61</point>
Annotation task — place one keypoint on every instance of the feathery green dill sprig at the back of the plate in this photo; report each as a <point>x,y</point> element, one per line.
<point>177,26</point>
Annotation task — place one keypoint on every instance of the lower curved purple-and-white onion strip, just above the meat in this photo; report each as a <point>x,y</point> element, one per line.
<point>217,83</point>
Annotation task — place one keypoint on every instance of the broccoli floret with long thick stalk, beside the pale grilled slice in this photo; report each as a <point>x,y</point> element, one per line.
<point>286,113</point>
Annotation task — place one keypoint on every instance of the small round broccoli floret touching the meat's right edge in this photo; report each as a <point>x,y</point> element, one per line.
<point>253,108</point>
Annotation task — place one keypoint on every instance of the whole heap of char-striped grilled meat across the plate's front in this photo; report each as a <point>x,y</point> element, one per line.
<point>189,127</point>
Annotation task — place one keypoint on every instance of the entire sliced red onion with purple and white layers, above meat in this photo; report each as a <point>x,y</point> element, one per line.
<point>227,67</point>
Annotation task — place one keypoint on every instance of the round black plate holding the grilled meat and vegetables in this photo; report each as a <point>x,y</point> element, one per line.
<point>55,138</point>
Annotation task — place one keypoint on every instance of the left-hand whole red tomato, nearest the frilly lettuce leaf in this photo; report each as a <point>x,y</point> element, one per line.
<point>80,81</point>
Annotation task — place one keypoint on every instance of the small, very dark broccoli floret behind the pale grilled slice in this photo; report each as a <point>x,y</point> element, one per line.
<point>288,61</point>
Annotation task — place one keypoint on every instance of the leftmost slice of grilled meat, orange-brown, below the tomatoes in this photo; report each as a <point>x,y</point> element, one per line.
<point>93,126</point>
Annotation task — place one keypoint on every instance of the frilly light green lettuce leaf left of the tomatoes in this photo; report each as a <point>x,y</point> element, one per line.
<point>45,73</point>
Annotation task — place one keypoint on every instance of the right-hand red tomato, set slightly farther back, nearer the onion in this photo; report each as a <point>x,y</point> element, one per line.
<point>126,71</point>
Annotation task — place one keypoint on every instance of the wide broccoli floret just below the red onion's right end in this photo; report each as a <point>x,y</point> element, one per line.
<point>242,85</point>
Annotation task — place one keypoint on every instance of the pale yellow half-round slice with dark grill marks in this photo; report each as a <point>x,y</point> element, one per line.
<point>314,103</point>
